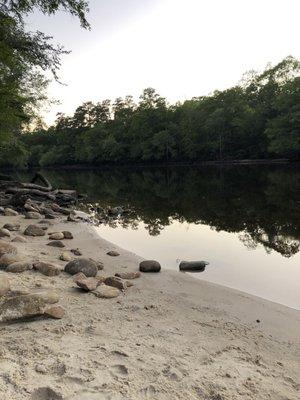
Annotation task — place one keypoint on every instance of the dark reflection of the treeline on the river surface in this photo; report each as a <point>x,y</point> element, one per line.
<point>261,203</point>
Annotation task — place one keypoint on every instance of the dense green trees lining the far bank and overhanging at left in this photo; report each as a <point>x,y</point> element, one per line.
<point>259,118</point>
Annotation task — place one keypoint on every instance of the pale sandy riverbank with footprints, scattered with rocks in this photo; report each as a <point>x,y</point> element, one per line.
<point>169,336</point>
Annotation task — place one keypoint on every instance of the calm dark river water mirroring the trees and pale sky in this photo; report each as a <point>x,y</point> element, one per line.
<point>244,220</point>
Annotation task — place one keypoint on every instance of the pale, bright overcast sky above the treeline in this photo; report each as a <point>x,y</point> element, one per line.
<point>182,48</point>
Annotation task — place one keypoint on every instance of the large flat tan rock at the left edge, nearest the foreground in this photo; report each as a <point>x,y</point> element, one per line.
<point>27,305</point>
